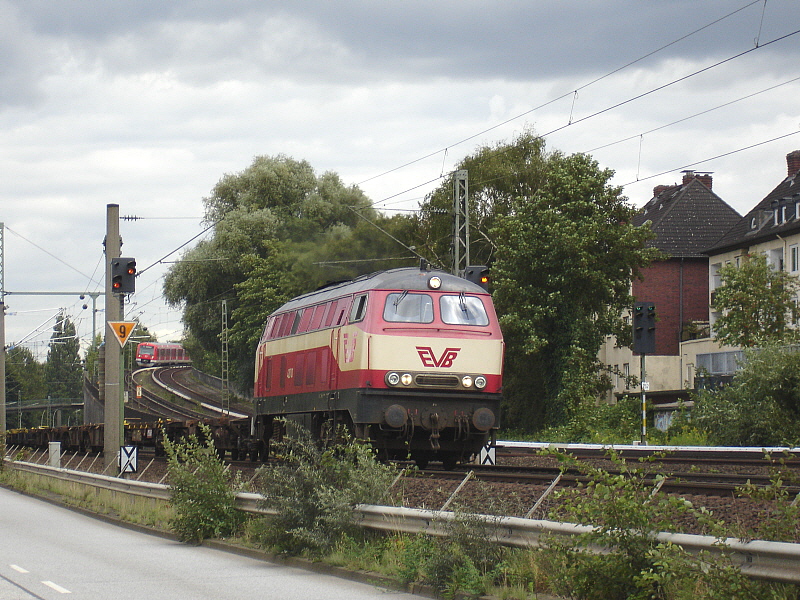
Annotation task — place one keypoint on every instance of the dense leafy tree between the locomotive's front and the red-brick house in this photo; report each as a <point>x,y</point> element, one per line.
<point>566,255</point>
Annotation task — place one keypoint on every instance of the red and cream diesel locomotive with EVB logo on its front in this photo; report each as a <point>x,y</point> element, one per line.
<point>410,359</point>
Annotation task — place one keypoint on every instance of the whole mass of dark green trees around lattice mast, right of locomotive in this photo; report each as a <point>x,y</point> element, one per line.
<point>563,253</point>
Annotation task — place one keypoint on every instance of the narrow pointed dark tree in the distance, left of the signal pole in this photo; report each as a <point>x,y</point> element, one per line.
<point>63,369</point>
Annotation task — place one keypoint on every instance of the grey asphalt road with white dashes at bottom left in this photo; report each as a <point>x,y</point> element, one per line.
<point>48,552</point>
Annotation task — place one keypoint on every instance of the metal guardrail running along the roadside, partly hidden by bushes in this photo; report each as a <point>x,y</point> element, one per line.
<point>774,561</point>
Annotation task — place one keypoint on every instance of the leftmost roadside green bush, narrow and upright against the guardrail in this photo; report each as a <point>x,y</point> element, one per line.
<point>201,490</point>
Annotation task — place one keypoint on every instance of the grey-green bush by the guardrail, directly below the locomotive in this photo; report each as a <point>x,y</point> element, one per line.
<point>315,489</point>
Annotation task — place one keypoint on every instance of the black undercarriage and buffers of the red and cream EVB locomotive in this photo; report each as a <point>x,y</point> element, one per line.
<point>401,425</point>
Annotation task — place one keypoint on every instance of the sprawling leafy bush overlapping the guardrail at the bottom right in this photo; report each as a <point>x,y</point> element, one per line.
<point>625,511</point>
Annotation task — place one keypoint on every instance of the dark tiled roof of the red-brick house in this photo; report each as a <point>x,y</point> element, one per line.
<point>687,219</point>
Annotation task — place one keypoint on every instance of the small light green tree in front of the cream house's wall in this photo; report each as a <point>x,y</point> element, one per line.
<point>756,303</point>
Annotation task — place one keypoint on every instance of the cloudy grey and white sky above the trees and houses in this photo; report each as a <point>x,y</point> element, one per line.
<point>147,103</point>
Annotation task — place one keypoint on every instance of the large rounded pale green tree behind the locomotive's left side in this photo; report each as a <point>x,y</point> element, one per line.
<point>279,230</point>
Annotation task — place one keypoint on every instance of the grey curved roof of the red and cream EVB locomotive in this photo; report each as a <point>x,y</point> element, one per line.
<point>404,278</point>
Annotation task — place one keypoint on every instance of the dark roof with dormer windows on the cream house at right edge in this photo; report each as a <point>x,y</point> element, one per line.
<point>759,224</point>
